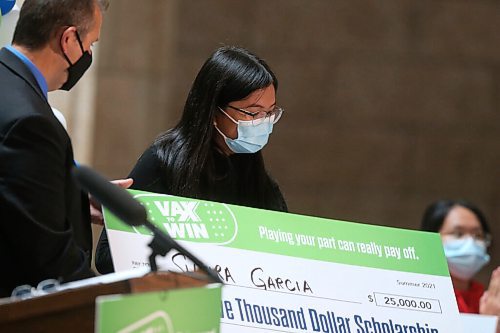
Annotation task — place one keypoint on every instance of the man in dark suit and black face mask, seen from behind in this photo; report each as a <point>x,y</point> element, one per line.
<point>44,217</point>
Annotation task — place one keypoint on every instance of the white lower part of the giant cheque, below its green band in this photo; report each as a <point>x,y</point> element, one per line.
<point>267,292</point>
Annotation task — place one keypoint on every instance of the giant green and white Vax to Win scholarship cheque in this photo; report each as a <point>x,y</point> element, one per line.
<point>292,273</point>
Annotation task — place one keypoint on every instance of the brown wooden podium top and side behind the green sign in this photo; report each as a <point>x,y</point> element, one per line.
<point>73,310</point>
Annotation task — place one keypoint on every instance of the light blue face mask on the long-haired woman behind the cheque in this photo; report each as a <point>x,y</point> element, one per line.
<point>252,134</point>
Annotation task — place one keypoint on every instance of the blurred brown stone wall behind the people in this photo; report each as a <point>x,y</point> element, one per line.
<point>389,104</point>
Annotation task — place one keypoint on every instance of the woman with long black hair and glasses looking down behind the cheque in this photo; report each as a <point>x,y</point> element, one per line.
<point>214,152</point>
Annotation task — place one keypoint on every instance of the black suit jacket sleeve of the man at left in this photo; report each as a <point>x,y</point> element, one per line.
<point>34,229</point>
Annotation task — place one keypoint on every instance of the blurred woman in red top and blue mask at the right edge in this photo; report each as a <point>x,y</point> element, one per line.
<point>466,237</point>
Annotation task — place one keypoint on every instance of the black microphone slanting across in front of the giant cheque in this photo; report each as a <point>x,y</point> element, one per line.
<point>130,211</point>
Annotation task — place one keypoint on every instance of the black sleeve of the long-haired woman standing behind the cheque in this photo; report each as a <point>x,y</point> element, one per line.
<point>147,176</point>
